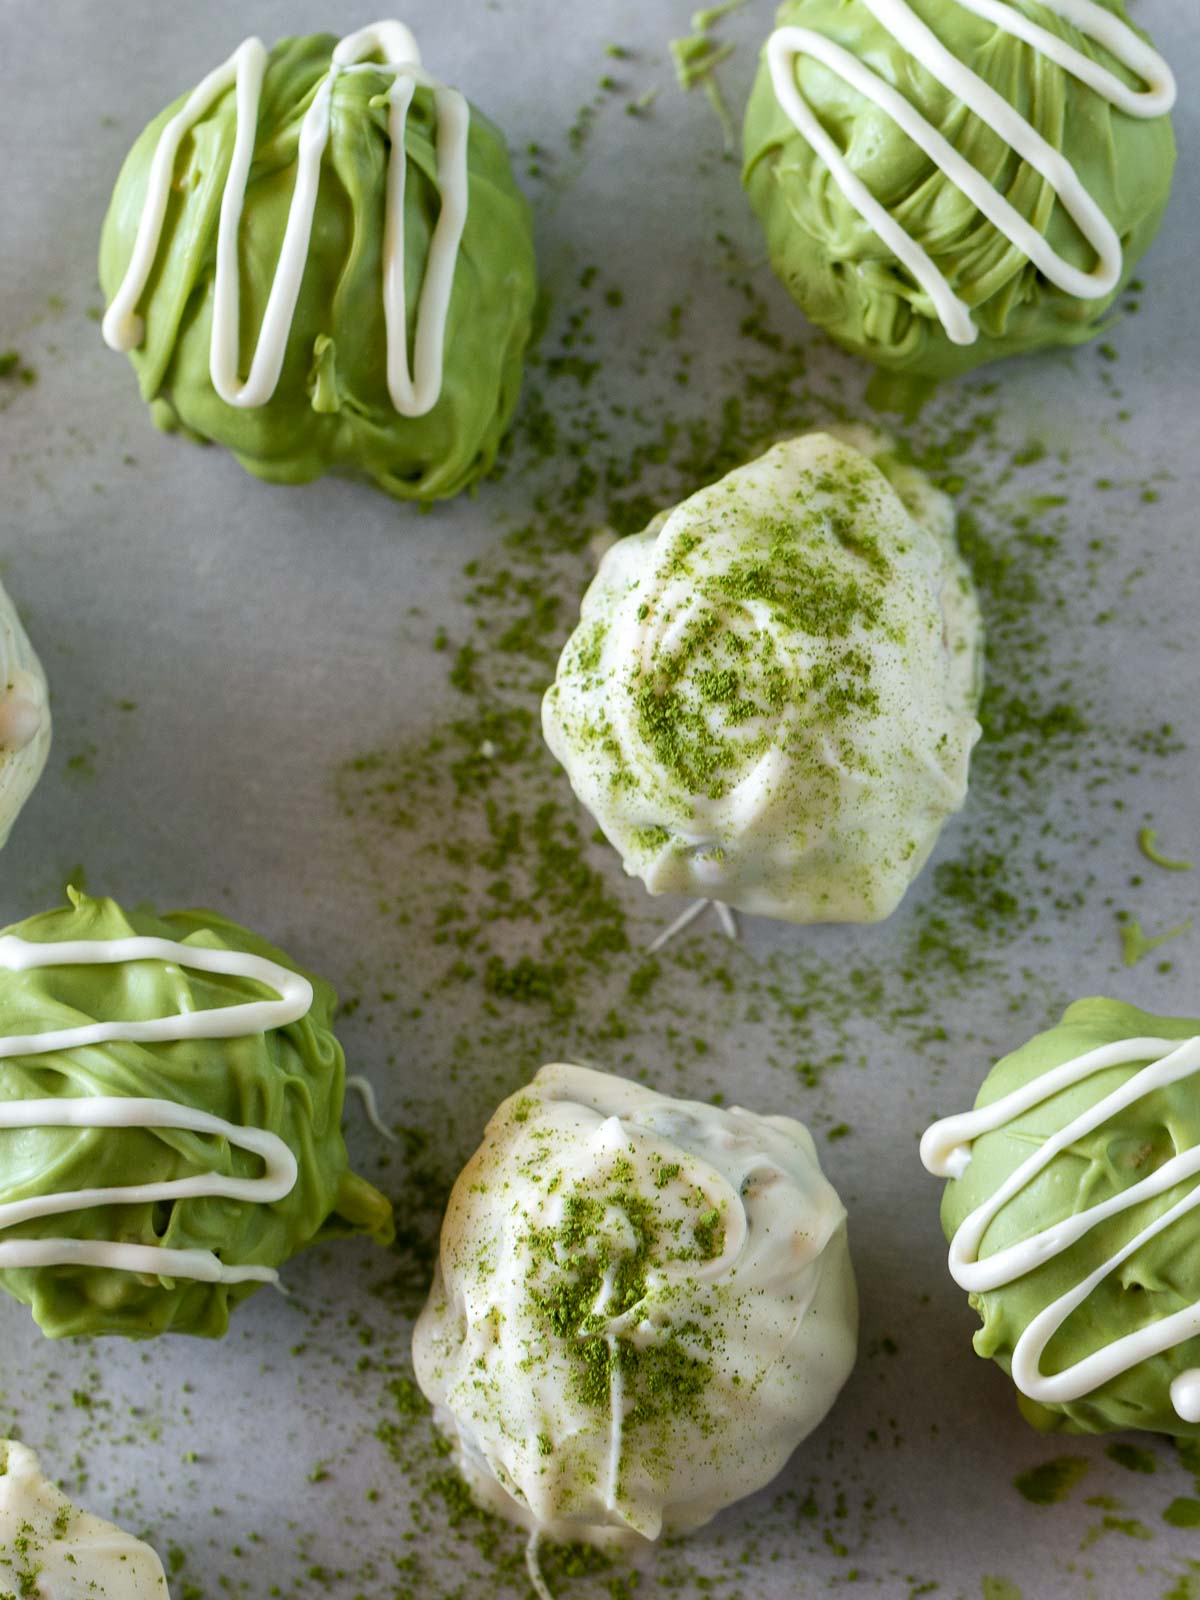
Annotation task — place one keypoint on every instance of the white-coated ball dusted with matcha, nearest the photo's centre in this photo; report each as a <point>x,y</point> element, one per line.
<point>770,697</point>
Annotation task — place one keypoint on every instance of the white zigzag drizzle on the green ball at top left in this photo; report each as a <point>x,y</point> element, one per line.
<point>414,393</point>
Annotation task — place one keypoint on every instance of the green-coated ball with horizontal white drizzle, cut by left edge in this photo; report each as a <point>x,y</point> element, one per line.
<point>170,1102</point>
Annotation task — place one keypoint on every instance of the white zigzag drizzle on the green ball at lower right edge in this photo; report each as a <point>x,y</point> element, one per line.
<point>946,1153</point>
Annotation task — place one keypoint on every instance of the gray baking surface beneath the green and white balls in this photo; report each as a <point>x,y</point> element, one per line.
<point>220,650</point>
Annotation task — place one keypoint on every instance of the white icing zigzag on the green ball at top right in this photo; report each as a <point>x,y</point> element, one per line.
<point>908,30</point>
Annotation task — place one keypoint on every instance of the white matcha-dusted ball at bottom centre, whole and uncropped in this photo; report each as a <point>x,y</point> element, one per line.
<point>642,1306</point>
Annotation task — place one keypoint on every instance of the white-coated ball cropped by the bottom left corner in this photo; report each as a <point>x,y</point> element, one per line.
<point>63,1553</point>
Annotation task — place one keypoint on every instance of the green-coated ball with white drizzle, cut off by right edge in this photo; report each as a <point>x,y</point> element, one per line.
<point>1074,1220</point>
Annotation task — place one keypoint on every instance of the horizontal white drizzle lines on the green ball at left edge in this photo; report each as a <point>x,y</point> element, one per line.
<point>103,1111</point>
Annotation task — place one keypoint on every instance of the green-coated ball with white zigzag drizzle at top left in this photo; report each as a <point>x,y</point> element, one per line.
<point>321,260</point>
